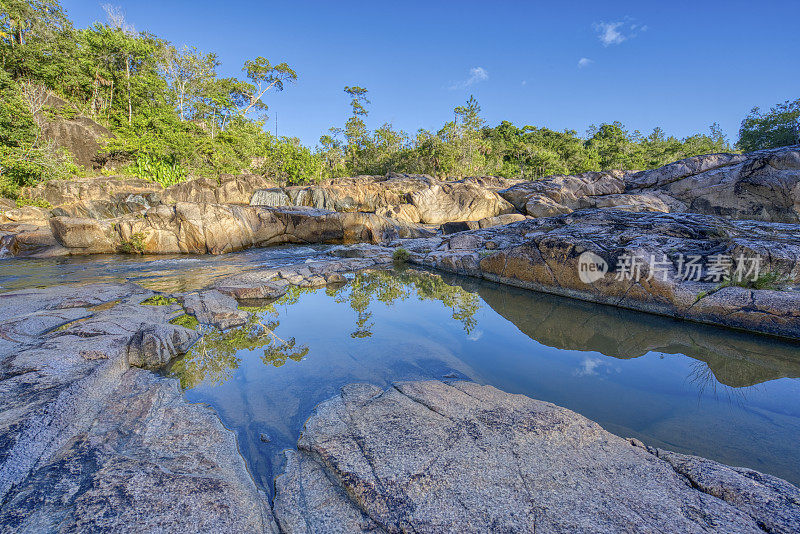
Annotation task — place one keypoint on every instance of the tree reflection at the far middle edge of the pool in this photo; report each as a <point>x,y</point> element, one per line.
<point>389,287</point>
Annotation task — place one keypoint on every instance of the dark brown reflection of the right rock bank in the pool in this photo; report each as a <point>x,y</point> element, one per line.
<point>735,359</point>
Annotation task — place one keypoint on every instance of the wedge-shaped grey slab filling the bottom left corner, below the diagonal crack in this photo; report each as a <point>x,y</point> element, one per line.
<point>150,462</point>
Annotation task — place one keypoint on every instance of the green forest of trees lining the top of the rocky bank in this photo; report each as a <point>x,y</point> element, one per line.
<point>172,116</point>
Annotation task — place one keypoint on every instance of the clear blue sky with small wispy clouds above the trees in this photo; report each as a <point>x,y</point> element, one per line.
<point>678,65</point>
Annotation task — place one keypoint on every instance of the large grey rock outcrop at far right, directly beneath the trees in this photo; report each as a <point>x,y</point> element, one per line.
<point>761,186</point>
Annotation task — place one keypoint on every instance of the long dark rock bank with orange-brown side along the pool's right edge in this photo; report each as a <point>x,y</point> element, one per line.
<point>543,255</point>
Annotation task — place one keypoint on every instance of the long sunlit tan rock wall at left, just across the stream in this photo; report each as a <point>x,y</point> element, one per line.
<point>198,228</point>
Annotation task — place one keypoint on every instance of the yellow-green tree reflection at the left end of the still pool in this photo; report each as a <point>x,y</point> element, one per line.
<point>215,357</point>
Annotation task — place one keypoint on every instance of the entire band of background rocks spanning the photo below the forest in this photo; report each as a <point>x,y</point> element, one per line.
<point>103,215</point>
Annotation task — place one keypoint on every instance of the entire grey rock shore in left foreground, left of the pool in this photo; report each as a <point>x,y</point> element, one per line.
<point>88,443</point>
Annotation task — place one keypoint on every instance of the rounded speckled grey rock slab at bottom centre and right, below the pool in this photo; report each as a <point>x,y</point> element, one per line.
<point>433,457</point>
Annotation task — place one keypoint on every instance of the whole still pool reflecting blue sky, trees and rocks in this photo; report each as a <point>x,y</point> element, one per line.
<point>659,380</point>
